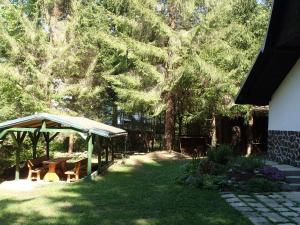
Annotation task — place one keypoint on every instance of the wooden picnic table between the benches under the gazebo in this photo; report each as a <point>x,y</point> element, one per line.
<point>51,175</point>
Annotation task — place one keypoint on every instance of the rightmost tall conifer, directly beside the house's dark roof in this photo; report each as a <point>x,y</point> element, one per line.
<point>229,38</point>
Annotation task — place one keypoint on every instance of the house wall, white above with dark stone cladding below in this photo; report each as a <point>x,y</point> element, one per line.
<point>284,120</point>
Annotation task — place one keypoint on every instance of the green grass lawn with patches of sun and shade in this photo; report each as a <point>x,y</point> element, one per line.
<point>140,191</point>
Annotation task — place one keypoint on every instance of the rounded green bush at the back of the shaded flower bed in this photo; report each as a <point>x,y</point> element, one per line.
<point>221,154</point>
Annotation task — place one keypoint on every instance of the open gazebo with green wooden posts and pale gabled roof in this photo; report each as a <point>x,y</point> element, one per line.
<point>47,124</point>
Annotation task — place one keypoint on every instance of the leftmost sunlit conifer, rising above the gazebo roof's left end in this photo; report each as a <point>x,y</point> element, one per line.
<point>22,53</point>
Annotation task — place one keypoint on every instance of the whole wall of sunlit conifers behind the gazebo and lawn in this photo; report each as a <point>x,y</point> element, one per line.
<point>183,59</point>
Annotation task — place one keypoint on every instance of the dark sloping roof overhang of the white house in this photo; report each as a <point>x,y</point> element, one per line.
<point>278,55</point>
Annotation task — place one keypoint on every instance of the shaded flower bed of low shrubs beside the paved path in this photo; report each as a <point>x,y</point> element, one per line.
<point>223,170</point>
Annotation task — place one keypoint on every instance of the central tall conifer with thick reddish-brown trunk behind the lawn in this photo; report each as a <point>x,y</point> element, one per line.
<point>151,44</point>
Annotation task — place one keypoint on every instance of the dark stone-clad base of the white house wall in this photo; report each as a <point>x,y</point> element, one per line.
<point>284,146</point>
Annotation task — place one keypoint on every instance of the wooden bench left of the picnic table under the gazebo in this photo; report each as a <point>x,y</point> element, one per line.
<point>36,167</point>
